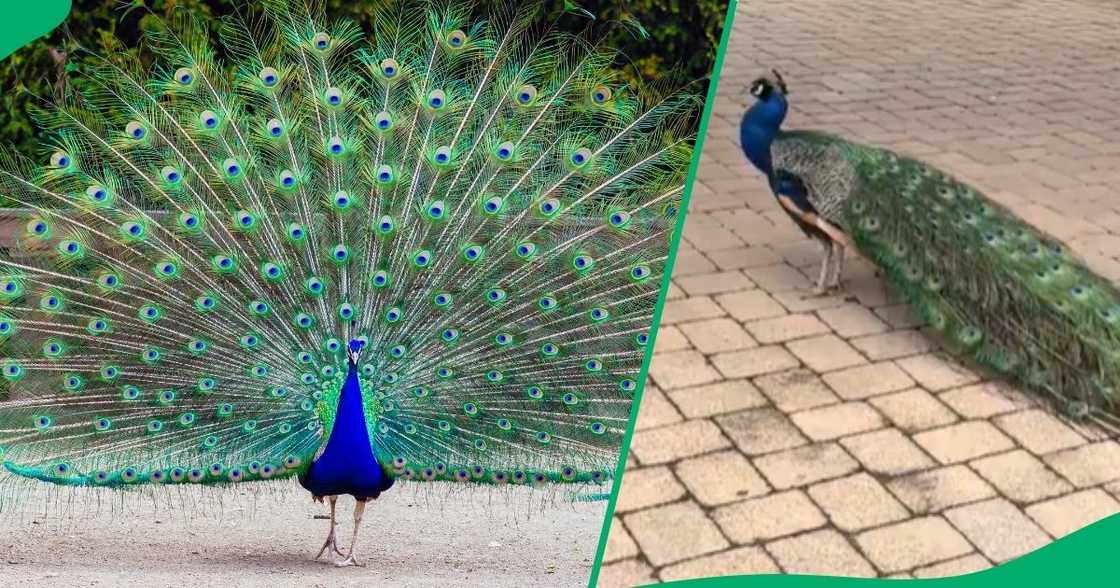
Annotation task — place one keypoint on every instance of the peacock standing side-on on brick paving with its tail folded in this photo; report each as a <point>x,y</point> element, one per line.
<point>1000,292</point>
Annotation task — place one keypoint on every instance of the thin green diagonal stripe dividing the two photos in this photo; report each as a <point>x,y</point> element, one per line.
<point>710,102</point>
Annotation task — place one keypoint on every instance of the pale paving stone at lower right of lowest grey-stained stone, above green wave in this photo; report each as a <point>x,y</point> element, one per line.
<point>998,529</point>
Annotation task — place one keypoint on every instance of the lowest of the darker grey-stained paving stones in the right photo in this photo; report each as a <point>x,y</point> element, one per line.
<point>937,490</point>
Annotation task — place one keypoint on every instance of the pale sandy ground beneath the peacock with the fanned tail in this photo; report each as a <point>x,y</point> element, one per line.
<point>410,537</point>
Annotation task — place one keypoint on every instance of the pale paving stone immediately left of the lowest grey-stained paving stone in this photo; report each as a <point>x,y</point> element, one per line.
<point>857,502</point>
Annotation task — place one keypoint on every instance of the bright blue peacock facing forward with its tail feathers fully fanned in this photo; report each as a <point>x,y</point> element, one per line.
<point>427,255</point>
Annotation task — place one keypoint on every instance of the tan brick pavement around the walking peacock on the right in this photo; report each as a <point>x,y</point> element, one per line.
<point>830,436</point>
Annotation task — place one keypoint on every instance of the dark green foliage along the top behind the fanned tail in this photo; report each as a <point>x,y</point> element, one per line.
<point>661,39</point>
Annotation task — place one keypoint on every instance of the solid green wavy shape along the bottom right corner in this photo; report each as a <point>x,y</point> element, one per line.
<point>1084,558</point>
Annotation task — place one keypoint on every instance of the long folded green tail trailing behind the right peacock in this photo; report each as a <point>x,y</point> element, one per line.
<point>1002,292</point>
